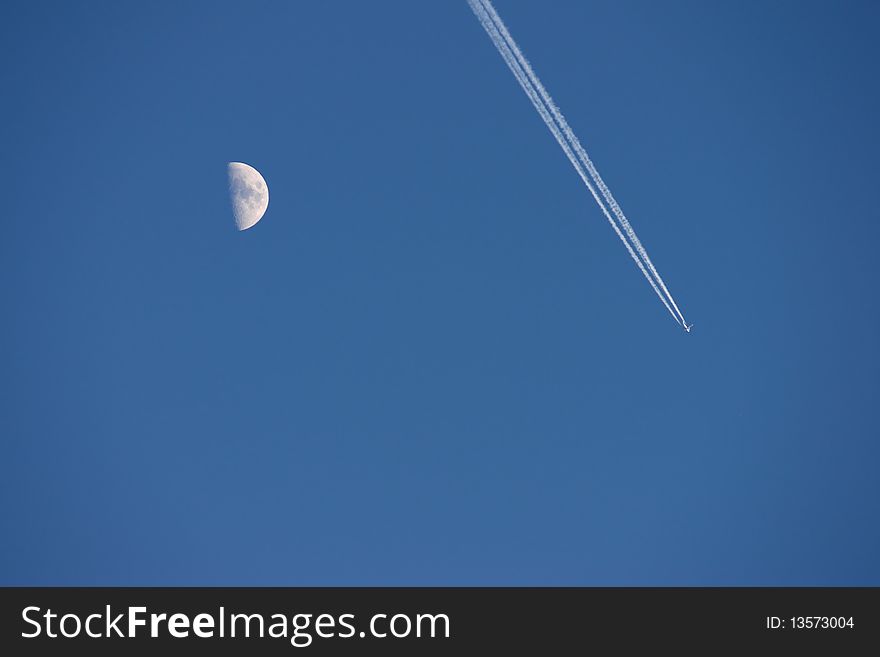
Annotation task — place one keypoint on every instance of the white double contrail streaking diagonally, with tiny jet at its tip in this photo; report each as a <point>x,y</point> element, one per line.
<point>557,124</point>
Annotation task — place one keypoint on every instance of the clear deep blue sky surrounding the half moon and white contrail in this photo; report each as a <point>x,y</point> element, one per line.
<point>432,361</point>
